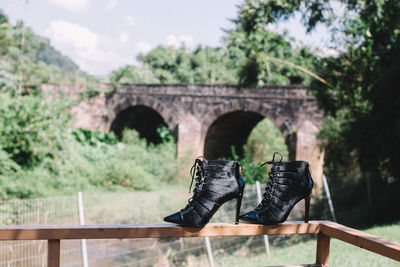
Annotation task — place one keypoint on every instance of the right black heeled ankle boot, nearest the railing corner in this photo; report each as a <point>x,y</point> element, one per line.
<point>289,182</point>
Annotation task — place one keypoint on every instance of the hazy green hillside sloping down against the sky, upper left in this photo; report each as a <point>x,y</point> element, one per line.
<point>41,62</point>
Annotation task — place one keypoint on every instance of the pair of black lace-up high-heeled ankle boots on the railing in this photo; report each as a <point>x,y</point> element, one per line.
<point>218,181</point>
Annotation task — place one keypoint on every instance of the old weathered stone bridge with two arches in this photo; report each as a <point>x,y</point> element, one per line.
<point>205,119</point>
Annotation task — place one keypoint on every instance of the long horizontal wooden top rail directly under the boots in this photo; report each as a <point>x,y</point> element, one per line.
<point>152,231</point>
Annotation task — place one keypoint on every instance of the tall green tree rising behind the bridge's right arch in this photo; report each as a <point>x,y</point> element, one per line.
<point>265,57</point>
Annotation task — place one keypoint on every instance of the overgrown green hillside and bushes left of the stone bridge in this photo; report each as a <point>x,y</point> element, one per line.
<point>40,155</point>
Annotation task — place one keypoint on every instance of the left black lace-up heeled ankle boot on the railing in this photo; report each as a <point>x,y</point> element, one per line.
<point>217,181</point>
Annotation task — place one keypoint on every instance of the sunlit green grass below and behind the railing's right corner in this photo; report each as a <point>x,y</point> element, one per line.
<point>341,253</point>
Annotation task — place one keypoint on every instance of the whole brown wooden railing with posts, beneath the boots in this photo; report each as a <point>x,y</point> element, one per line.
<point>324,230</point>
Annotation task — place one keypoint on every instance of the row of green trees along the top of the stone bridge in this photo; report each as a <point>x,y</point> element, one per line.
<point>235,63</point>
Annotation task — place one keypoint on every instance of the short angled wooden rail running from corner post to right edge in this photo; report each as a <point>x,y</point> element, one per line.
<point>361,239</point>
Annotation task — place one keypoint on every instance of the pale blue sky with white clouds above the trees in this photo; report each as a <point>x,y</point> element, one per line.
<point>103,35</point>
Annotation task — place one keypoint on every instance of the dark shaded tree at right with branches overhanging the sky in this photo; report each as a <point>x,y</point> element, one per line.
<point>361,79</point>
